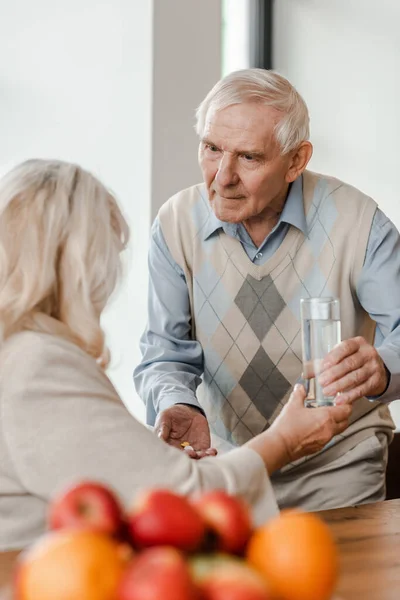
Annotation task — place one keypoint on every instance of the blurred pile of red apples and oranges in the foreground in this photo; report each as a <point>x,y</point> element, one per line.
<point>102,553</point>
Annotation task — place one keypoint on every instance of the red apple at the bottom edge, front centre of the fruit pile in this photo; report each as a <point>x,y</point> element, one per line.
<point>157,574</point>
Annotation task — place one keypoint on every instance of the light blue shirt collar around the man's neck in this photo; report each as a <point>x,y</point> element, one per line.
<point>292,213</point>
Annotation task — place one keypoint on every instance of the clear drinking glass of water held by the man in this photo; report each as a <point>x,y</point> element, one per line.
<point>320,331</point>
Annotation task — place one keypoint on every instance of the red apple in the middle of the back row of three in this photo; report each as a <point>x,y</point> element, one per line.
<point>162,518</point>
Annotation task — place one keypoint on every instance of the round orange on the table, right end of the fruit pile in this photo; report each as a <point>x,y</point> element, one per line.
<point>297,555</point>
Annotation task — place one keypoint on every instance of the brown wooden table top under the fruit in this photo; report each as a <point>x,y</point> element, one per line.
<point>369,543</point>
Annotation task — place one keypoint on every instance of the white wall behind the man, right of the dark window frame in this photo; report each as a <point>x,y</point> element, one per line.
<point>344,58</point>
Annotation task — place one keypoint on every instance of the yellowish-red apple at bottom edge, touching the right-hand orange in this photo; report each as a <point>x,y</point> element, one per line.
<point>223,577</point>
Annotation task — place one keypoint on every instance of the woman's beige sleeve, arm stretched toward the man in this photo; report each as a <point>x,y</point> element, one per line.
<point>63,421</point>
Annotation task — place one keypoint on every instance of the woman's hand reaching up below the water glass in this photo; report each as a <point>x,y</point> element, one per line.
<point>299,431</point>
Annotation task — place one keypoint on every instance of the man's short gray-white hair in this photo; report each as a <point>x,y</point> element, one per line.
<point>264,87</point>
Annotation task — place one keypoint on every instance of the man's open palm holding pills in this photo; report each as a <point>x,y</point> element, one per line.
<point>183,423</point>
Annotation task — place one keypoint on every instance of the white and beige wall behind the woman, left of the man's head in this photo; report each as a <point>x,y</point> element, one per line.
<point>78,82</point>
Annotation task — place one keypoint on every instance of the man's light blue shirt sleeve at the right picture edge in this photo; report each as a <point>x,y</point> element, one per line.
<point>378,291</point>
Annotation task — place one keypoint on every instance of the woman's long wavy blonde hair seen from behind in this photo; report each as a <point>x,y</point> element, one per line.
<point>61,234</point>
